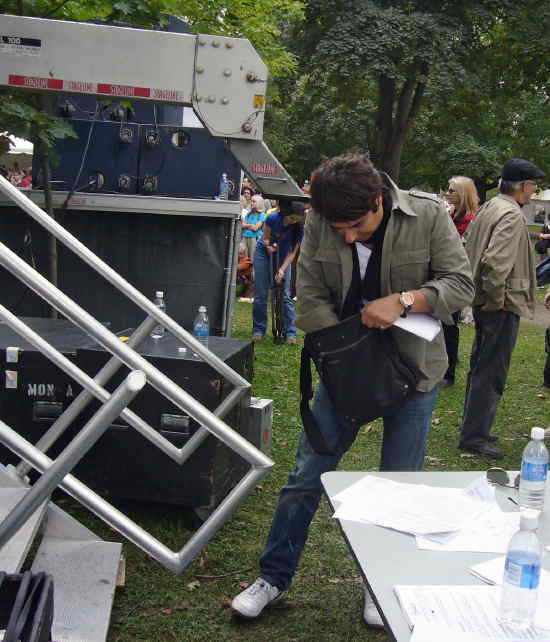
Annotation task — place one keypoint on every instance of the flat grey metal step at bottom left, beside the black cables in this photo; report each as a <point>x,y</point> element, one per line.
<point>84,575</point>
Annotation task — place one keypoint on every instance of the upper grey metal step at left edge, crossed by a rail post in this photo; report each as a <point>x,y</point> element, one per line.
<point>13,554</point>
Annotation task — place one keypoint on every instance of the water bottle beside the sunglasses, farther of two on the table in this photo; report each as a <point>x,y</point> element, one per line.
<point>534,468</point>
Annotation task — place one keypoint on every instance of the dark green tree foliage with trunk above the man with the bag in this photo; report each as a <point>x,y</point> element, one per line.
<point>460,83</point>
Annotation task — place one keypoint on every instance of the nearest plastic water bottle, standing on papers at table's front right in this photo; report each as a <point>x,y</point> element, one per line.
<point>521,573</point>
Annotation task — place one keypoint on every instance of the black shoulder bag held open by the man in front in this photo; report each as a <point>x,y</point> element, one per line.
<point>362,371</point>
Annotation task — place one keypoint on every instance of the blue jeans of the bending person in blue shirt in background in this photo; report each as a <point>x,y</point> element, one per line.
<point>262,283</point>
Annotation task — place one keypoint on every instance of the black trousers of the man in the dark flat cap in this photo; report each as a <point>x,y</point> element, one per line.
<point>495,338</point>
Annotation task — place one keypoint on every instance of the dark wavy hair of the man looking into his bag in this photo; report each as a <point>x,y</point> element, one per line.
<point>343,188</point>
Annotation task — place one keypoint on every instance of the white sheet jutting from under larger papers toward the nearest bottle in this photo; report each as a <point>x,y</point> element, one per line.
<point>488,532</point>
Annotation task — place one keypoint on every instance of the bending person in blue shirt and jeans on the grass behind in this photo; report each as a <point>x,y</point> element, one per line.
<point>275,251</point>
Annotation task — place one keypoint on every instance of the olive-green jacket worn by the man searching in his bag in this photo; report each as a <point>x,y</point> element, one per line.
<point>422,250</point>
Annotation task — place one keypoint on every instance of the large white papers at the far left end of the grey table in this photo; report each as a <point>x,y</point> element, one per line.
<point>411,508</point>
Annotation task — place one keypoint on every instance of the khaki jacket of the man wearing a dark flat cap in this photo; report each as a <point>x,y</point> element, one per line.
<point>499,249</point>
